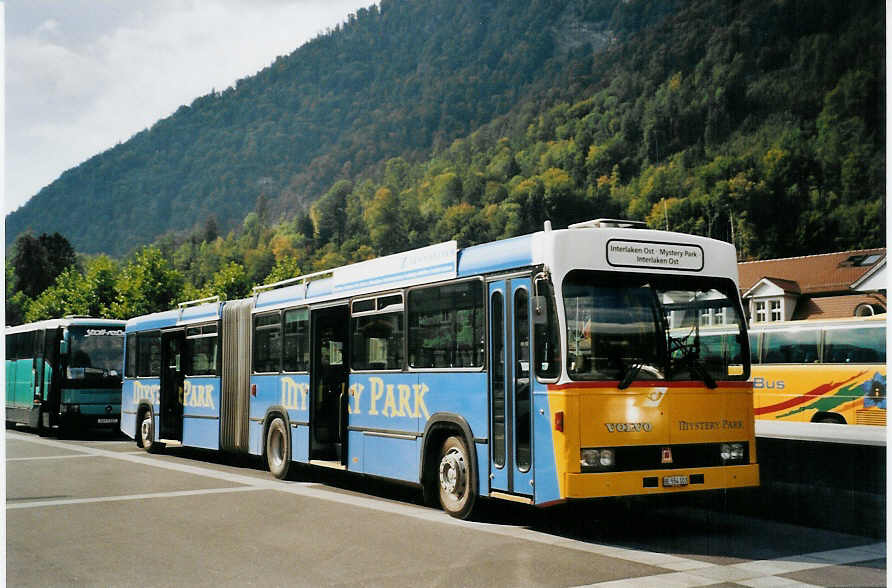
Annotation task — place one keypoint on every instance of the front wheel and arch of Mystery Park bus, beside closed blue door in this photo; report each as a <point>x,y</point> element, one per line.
<point>449,474</point>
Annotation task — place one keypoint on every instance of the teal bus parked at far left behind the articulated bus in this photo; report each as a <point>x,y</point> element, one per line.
<point>64,373</point>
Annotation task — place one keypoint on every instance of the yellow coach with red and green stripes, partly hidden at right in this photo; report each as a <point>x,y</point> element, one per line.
<point>826,371</point>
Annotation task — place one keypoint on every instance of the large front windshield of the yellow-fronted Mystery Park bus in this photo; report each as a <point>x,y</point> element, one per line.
<point>630,327</point>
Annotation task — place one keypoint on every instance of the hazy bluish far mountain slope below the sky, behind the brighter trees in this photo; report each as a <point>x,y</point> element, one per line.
<point>395,80</point>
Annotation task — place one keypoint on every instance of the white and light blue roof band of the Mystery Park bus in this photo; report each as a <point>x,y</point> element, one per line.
<point>595,245</point>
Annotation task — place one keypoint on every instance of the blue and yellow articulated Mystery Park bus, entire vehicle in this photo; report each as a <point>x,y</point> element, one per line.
<point>565,364</point>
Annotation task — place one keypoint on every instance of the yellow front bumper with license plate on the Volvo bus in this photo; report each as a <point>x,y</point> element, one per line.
<point>636,483</point>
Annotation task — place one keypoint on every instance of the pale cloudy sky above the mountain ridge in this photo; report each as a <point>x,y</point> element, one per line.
<point>84,75</point>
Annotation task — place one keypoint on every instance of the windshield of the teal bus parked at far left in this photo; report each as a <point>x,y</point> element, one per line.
<point>95,353</point>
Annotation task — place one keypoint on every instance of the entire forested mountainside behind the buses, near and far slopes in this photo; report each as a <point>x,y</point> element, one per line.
<point>760,122</point>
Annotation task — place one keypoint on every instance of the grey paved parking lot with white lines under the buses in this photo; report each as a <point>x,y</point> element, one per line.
<point>101,512</point>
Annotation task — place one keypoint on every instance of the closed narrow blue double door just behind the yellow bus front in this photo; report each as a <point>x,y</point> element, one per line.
<point>510,387</point>
